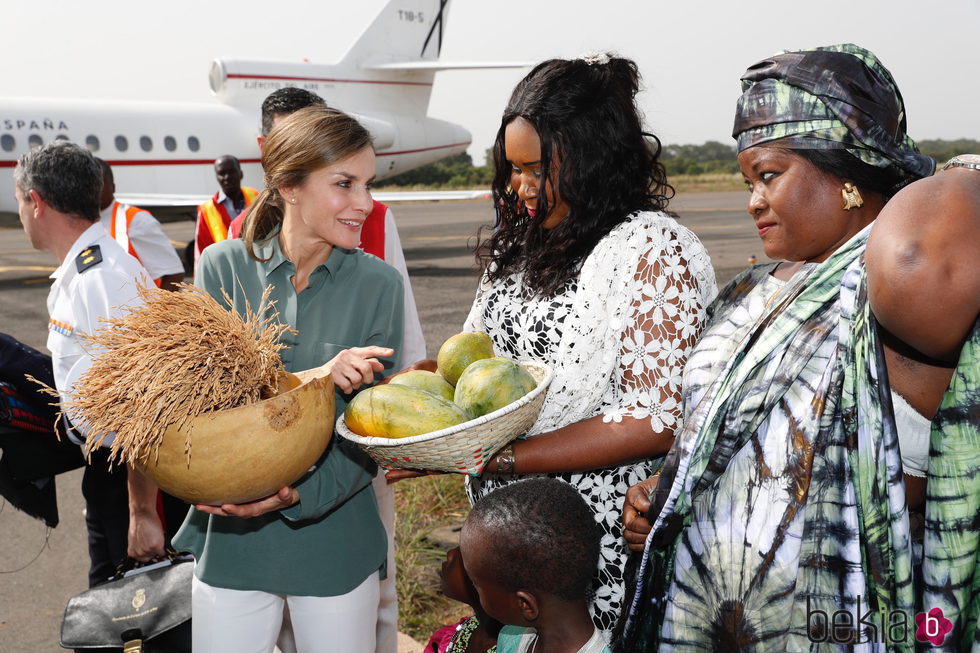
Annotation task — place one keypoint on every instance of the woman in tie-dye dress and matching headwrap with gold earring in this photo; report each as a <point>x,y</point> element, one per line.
<point>813,427</point>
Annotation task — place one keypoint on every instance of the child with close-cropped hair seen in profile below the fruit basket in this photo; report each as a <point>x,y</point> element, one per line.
<point>531,549</point>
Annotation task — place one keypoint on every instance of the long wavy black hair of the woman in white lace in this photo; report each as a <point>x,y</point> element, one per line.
<point>585,115</point>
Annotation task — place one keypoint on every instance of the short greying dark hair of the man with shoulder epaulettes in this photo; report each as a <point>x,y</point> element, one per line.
<point>66,175</point>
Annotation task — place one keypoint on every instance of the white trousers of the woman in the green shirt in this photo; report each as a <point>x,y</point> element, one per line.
<point>236,621</point>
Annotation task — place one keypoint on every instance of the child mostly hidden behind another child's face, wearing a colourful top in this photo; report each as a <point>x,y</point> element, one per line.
<point>476,634</point>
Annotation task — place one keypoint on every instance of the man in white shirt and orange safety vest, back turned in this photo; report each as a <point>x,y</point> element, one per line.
<point>140,234</point>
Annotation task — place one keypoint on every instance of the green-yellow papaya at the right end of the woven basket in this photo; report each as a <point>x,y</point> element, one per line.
<point>490,384</point>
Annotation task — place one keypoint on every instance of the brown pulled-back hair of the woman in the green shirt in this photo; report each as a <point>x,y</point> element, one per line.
<point>300,144</point>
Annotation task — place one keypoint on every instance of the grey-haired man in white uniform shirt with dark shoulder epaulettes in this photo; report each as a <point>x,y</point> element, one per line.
<point>57,189</point>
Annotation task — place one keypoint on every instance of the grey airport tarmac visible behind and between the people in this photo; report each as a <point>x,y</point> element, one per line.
<point>41,568</point>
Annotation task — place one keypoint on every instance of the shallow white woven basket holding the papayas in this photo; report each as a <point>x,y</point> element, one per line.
<point>464,448</point>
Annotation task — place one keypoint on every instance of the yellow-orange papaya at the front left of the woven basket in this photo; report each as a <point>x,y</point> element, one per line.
<point>400,411</point>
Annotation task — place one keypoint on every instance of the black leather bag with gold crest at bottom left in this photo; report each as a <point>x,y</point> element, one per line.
<point>143,609</point>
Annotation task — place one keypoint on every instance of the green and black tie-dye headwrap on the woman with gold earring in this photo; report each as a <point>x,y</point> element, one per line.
<point>829,98</point>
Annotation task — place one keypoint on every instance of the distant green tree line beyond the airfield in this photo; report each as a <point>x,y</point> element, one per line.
<point>711,157</point>
